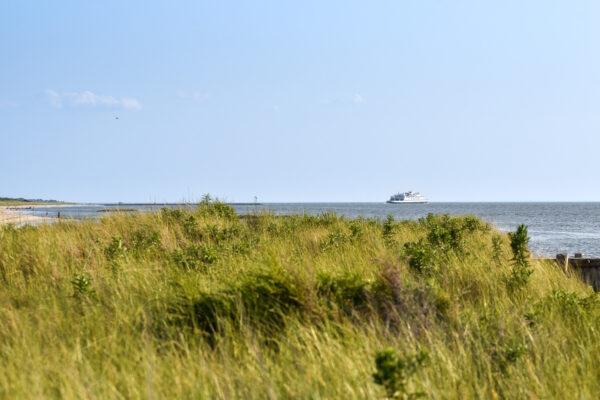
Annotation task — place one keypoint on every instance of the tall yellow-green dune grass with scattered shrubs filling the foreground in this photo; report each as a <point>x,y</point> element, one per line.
<point>201,303</point>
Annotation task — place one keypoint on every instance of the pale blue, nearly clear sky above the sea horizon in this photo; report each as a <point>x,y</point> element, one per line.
<point>300,101</point>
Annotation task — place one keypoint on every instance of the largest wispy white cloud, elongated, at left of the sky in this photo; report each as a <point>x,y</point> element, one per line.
<point>90,99</point>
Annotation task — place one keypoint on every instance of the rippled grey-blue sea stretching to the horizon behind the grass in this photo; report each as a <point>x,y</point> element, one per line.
<point>553,227</point>
